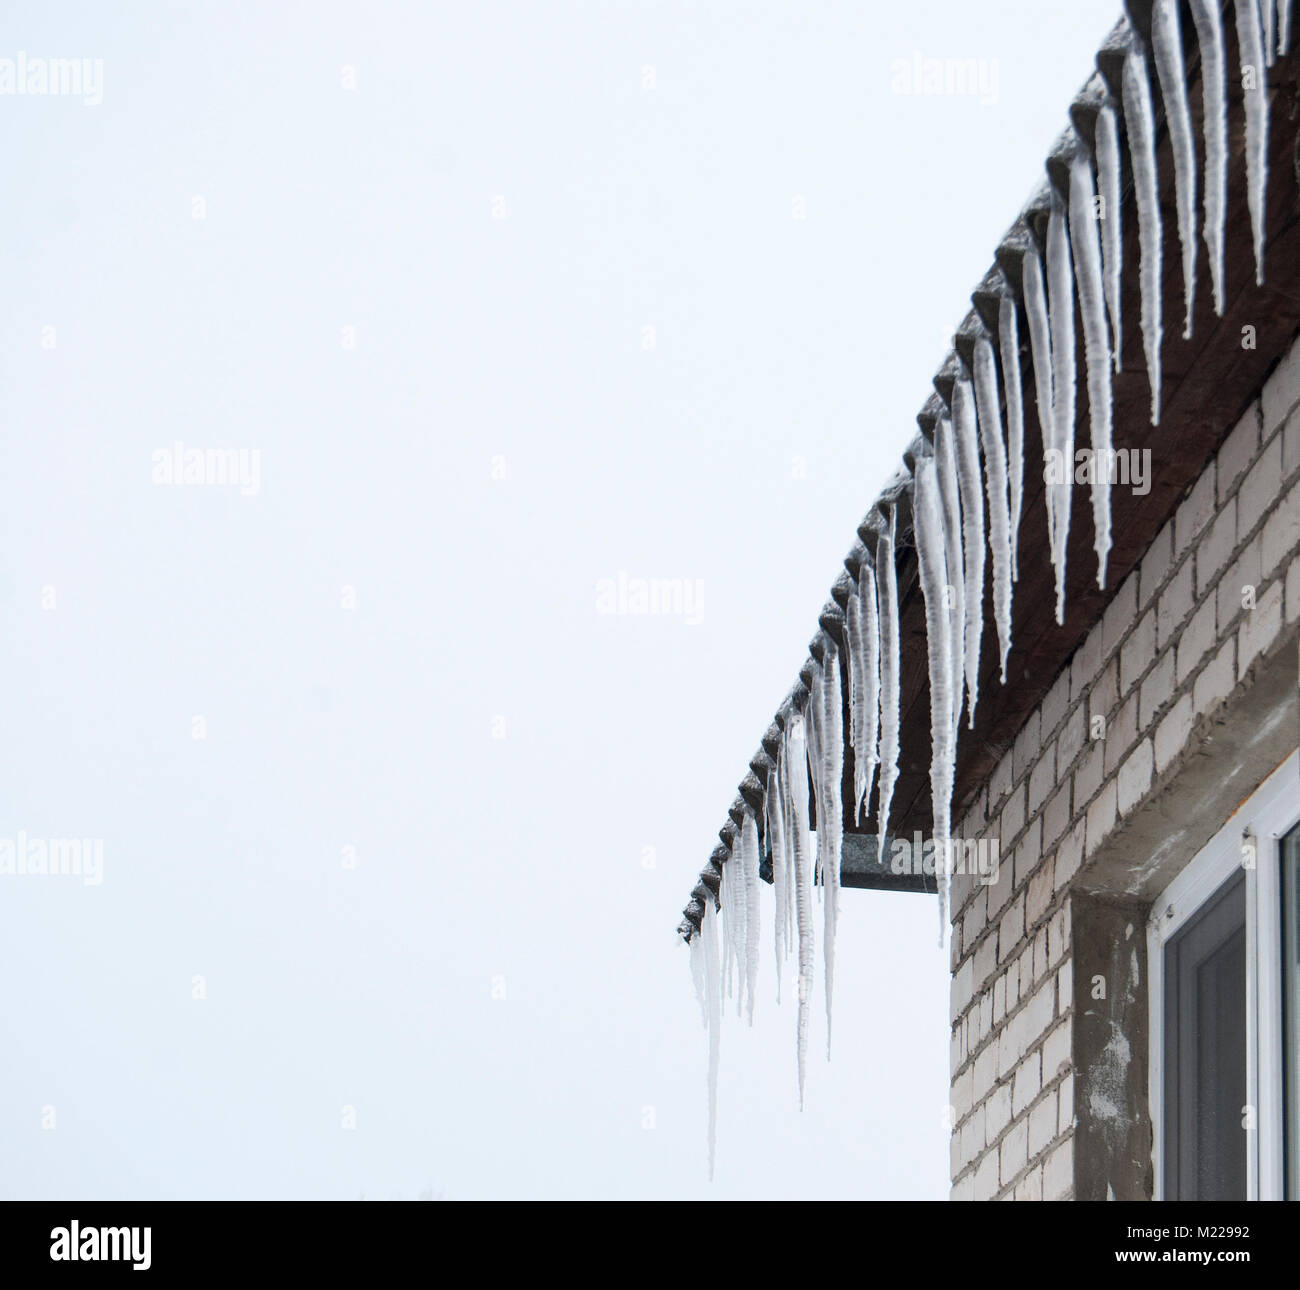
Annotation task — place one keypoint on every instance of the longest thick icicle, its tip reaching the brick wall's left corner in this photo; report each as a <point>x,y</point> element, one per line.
<point>933,561</point>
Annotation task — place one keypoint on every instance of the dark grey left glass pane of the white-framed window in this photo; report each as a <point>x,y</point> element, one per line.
<point>1206,1157</point>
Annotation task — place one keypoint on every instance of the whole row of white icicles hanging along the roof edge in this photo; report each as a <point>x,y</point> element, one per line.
<point>1084,253</point>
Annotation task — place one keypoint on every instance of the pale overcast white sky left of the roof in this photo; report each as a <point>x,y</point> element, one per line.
<point>788,363</point>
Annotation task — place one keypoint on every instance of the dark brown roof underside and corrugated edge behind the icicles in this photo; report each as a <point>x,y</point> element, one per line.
<point>1208,383</point>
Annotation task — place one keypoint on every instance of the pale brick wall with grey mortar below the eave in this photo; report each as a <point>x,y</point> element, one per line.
<point>1219,588</point>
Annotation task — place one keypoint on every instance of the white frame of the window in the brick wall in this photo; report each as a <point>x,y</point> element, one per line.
<point>1268,815</point>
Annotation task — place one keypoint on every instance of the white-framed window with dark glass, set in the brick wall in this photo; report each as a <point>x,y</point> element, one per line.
<point>1224,947</point>
